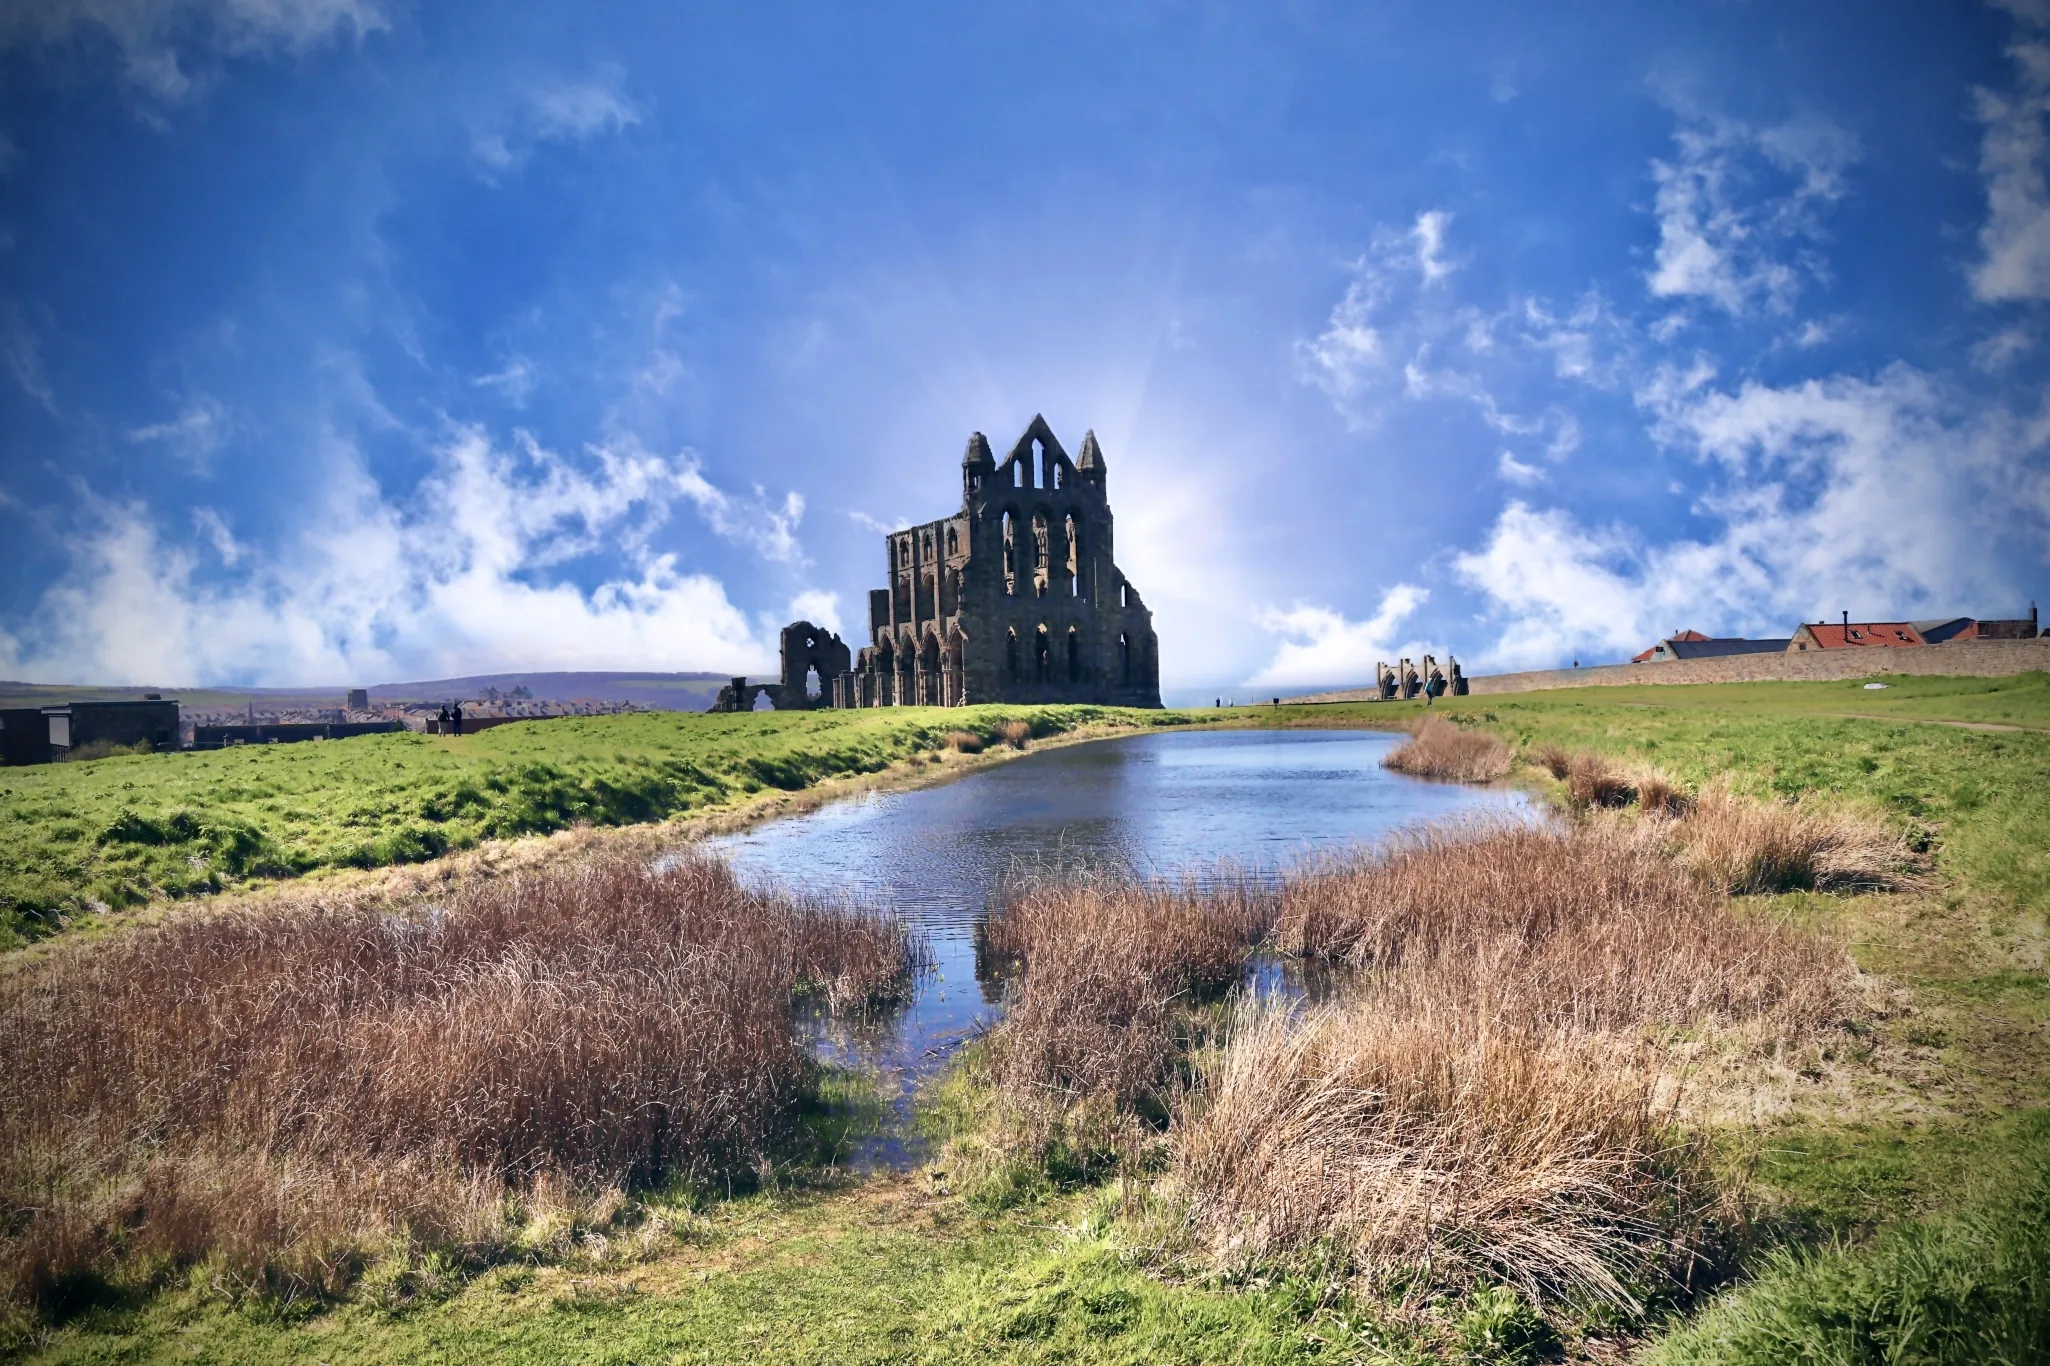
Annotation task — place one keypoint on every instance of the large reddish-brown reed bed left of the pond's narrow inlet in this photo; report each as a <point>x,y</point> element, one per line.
<point>288,1090</point>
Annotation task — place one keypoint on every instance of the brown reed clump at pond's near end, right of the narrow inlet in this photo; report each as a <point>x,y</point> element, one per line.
<point>1090,1033</point>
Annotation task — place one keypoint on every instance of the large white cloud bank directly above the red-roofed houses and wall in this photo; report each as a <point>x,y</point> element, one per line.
<point>1889,499</point>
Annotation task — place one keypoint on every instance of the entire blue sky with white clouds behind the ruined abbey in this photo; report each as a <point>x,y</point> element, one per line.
<point>362,339</point>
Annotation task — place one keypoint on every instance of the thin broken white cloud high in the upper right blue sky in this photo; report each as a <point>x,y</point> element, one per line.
<point>1719,239</point>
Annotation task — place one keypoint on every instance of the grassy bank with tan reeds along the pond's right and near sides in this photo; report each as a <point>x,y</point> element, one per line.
<point>1883,1133</point>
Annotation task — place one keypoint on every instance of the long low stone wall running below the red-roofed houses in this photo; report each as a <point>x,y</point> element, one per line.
<point>1971,659</point>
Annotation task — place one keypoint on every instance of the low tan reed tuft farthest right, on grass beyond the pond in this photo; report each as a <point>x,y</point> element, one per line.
<point>1744,846</point>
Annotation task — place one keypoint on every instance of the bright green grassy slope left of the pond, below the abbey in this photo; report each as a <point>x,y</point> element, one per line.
<point>130,830</point>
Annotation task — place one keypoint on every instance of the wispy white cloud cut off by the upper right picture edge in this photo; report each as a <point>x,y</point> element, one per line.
<point>2014,159</point>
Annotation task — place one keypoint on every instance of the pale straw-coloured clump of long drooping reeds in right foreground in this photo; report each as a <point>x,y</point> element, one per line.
<point>1428,1143</point>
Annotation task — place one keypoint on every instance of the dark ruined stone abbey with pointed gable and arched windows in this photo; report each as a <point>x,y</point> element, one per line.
<point>1014,598</point>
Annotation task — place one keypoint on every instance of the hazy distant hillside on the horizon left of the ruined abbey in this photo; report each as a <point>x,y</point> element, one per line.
<point>669,692</point>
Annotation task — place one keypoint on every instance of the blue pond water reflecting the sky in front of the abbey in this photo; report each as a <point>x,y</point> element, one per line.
<point>1159,805</point>
